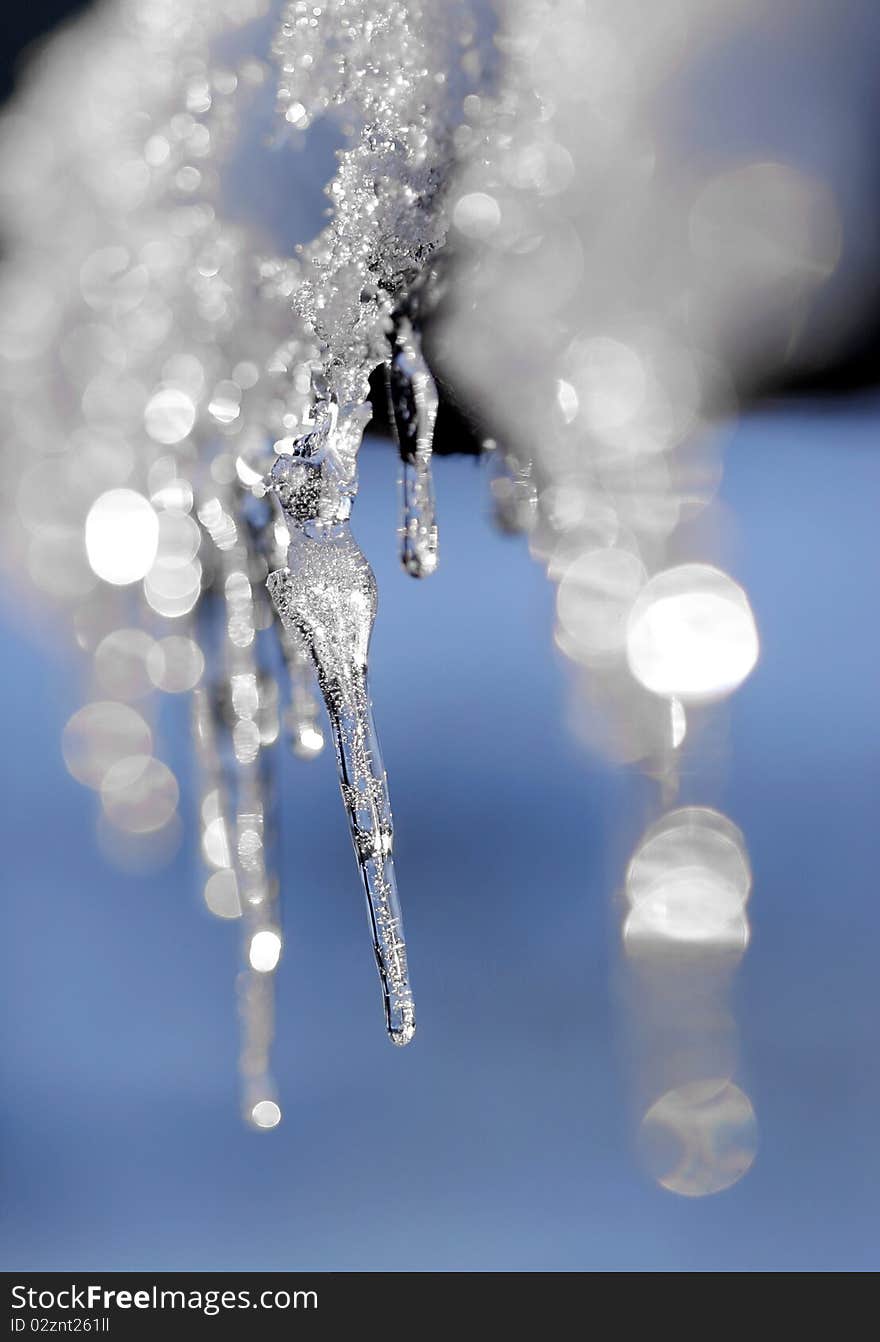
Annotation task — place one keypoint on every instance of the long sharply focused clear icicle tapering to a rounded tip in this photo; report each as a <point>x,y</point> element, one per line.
<point>327,597</point>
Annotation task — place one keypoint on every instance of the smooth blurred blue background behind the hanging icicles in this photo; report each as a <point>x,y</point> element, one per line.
<point>521,1131</point>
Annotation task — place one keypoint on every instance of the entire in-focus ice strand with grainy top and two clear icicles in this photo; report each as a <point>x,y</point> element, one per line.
<point>356,277</point>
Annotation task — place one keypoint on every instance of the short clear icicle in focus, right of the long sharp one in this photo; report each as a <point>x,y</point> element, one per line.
<point>412,399</point>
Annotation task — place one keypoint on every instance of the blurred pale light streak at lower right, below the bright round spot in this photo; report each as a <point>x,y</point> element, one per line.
<point>687,886</point>
